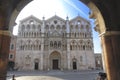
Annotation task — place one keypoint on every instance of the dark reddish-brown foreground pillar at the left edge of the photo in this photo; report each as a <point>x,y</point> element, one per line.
<point>4,51</point>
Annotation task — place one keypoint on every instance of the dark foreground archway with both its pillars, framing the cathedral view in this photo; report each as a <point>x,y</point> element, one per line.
<point>106,13</point>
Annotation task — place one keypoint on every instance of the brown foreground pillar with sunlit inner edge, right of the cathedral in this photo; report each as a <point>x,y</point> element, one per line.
<point>111,52</point>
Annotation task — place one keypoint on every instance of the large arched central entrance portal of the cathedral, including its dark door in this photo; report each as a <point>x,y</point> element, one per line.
<point>55,60</point>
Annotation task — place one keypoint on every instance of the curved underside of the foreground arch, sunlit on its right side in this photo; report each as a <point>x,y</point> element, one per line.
<point>95,13</point>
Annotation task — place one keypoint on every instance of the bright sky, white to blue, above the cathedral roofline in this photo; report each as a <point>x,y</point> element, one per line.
<point>61,8</point>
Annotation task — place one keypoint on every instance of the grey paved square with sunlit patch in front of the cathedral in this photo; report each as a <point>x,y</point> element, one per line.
<point>53,75</point>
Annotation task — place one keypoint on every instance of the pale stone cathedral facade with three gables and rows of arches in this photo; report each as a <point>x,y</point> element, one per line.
<point>54,44</point>
